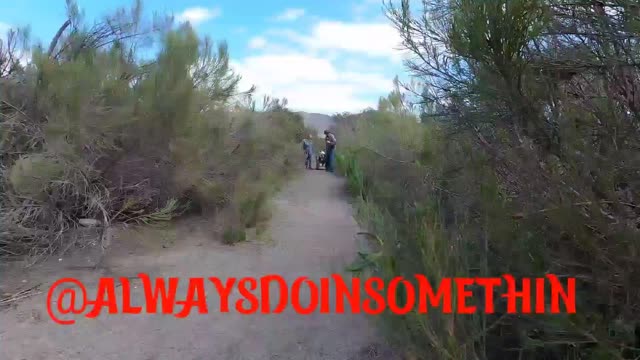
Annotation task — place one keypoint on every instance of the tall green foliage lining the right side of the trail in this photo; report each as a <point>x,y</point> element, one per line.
<point>526,172</point>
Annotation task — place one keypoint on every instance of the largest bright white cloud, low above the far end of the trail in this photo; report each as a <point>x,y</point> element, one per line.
<point>335,66</point>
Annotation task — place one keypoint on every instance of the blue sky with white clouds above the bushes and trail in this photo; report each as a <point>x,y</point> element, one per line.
<point>323,55</point>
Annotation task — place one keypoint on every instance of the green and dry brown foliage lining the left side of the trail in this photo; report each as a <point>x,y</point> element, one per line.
<point>94,128</point>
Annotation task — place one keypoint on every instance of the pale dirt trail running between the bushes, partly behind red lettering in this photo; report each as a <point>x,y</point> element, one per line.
<point>303,244</point>
